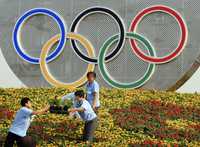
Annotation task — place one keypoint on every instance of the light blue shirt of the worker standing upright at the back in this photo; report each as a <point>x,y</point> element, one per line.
<point>90,89</point>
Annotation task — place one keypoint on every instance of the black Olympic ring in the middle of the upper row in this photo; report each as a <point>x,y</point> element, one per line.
<point>110,13</point>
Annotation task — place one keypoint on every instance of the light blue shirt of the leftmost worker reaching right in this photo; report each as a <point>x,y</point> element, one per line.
<point>21,122</point>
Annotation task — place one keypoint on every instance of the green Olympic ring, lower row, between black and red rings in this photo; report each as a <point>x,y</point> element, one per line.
<point>105,74</point>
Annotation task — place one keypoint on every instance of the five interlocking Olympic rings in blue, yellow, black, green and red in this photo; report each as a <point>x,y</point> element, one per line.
<point>91,58</point>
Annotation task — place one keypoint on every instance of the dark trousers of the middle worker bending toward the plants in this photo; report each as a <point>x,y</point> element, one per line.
<point>89,129</point>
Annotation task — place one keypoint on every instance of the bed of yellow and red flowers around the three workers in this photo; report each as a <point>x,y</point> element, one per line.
<point>126,118</point>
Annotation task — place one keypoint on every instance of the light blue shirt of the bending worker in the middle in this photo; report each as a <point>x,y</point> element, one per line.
<point>89,113</point>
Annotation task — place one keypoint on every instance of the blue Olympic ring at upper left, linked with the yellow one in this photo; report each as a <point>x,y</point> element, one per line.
<point>20,22</point>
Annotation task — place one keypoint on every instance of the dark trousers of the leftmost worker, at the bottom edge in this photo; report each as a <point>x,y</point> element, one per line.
<point>26,141</point>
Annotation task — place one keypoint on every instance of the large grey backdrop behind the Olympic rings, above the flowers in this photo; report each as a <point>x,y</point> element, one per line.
<point>161,30</point>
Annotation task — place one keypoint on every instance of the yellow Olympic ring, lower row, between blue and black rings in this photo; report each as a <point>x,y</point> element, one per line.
<point>44,69</point>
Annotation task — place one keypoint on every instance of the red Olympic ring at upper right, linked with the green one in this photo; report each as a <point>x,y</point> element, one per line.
<point>181,44</point>
